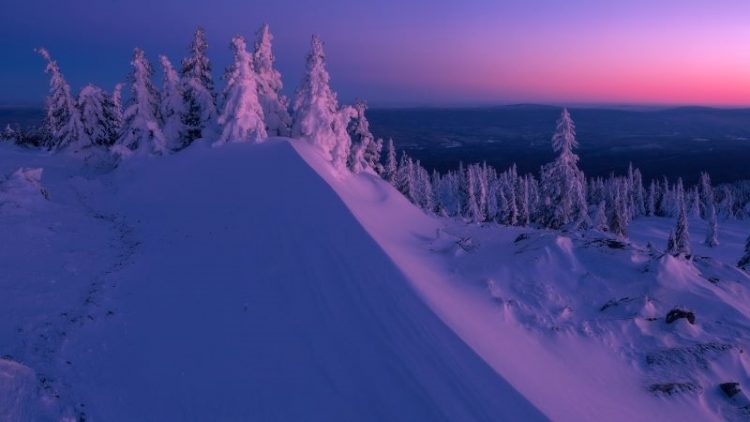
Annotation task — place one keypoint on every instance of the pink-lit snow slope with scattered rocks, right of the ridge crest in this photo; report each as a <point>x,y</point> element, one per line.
<point>573,323</point>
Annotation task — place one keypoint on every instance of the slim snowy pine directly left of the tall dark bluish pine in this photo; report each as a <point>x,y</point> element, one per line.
<point>172,105</point>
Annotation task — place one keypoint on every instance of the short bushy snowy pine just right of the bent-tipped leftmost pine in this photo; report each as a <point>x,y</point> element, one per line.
<point>97,116</point>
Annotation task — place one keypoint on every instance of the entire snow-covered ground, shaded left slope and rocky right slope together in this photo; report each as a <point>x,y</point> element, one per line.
<point>260,282</point>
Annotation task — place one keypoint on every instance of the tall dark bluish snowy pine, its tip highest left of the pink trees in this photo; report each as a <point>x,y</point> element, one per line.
<point>198,90</point>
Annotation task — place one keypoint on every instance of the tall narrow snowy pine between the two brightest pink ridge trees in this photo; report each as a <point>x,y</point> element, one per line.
<point>275,105</point>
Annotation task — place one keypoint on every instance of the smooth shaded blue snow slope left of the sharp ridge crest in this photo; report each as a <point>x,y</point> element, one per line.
<point>245,290</point>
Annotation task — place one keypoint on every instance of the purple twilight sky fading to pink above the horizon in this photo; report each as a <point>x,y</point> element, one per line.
<point>409,52</point>
